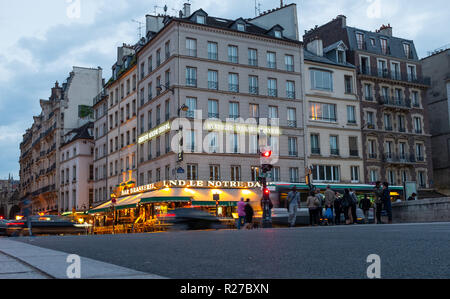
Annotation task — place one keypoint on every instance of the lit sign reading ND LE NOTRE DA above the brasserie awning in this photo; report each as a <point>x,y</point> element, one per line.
<point>191,184</point>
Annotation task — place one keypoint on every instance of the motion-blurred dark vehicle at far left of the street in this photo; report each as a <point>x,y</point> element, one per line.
<point>45,225</point>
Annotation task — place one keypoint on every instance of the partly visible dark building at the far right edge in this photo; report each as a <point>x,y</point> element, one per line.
<point>437,66</point>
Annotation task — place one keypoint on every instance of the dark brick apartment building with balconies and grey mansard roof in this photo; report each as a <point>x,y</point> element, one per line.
<point>392,91</point>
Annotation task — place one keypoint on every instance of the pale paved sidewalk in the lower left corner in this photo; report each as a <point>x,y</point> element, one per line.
<point>24,261</point>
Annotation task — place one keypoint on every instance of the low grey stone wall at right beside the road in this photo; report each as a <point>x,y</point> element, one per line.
<point>426,210</point>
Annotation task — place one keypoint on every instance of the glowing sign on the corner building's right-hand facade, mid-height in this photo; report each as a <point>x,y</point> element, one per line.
<point>241,128</point>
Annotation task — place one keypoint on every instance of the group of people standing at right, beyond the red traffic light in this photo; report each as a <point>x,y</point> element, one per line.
<point>336,204</point>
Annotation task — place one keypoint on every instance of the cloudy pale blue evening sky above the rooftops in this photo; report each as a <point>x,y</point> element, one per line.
<point>42,40</point>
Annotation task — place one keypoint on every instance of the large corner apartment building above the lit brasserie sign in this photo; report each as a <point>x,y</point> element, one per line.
<point>215,70</point>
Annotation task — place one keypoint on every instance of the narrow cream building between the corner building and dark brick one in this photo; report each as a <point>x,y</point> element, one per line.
<point>333,125</point>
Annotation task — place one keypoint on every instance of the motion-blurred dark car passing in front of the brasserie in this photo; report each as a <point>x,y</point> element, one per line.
<point>191,219</point>
